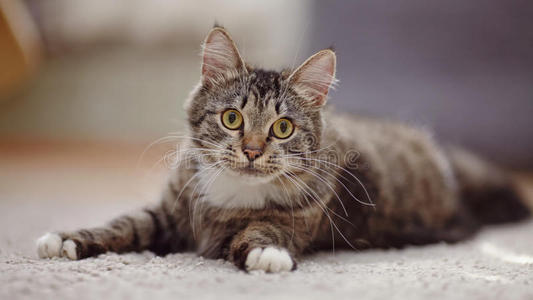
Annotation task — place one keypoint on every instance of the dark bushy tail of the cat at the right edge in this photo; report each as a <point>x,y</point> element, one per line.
<point>489,194</point>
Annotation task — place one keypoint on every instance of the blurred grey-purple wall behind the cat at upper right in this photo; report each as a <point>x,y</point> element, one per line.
<point>464,68</point>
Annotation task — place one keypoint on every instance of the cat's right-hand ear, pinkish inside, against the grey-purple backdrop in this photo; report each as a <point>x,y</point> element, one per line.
<point>315,76</point>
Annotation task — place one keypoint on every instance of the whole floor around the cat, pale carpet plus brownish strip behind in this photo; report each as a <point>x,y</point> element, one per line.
<point>48,186</point>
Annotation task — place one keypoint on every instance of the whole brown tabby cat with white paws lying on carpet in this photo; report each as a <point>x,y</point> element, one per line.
<point>268,174</point>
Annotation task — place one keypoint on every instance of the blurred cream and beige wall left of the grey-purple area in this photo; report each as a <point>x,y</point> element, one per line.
<point>120,70</point>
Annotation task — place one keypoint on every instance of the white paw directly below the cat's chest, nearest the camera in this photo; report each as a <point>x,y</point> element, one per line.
<point>269,259</point>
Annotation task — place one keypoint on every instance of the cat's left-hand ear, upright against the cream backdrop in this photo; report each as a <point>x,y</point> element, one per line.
<point>220,57</point>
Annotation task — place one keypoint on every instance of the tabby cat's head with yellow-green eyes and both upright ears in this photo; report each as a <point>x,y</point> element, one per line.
<point>253,122</point>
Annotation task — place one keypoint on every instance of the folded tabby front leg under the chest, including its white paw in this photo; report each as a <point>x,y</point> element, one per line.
<point>267,246</point>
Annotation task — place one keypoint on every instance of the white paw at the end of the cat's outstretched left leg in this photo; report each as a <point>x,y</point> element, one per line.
<point>52,245</point>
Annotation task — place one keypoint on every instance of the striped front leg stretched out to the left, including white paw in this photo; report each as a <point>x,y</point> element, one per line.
<point>152,229</point>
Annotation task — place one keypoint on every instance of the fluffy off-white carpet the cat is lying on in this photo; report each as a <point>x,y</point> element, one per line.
<point>497,264</point>
